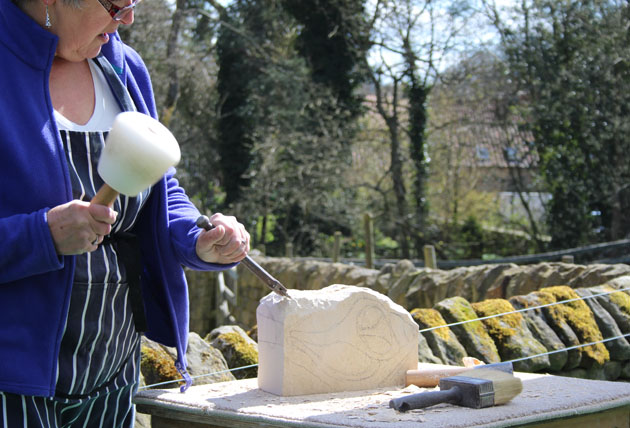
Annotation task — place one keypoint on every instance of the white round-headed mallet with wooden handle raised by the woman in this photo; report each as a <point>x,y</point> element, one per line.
<point>138,151</point>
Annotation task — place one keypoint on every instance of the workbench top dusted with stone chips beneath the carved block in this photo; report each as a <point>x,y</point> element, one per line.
<point>546,401</point>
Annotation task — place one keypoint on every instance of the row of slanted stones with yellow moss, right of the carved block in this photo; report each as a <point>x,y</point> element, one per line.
<point>542,331</point>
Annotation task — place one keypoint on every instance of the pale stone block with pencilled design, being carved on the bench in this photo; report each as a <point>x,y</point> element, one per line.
<point>339,338</point>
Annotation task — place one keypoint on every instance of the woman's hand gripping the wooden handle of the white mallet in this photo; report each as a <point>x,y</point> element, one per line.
<point>78,227</point>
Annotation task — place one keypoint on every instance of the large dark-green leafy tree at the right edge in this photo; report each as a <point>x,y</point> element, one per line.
<point>570,58</point>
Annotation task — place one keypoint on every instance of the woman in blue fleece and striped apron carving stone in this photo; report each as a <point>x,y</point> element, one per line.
<point>71,305</point>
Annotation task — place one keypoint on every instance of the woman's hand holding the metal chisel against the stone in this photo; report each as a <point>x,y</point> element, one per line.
<point>227,243</point>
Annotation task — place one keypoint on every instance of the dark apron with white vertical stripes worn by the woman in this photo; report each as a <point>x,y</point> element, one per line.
<point>99,360</point>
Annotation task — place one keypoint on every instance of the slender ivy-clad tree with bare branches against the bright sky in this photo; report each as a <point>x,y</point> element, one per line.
<point>413,40</point>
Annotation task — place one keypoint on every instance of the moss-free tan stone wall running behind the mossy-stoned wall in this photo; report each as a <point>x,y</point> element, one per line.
<point>405,284</point>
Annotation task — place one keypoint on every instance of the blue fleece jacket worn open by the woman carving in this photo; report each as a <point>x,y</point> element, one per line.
<point>35,283</point>
